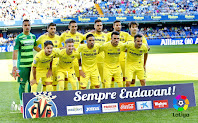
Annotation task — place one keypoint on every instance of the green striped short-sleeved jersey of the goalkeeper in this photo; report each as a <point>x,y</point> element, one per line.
<point>25,44</point>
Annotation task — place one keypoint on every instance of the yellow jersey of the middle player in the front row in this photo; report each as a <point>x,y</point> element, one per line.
<point>89,56</point>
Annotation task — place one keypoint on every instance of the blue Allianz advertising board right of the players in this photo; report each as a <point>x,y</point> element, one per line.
<point>173,41</point>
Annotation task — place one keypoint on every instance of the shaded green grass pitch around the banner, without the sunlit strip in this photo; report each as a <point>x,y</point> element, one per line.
<point>9,93</point>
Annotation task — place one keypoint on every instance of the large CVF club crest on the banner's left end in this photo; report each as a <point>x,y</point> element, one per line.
<point>41,106</point>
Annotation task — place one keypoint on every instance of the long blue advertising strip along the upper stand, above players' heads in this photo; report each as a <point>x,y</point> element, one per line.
<point>105,19</point>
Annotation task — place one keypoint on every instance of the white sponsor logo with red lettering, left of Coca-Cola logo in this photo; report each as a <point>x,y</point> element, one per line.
<point>111,107</point>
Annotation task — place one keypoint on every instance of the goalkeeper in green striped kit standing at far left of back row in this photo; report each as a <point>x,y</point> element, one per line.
<point>24,44</point>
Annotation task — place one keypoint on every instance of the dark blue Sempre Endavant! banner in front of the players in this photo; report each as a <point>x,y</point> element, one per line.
<point>78,102</point>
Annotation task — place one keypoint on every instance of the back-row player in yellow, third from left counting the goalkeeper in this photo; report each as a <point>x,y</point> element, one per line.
<point>78,39</point>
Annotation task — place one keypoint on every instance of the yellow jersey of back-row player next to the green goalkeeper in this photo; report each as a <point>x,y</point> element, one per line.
<point>55,40</point>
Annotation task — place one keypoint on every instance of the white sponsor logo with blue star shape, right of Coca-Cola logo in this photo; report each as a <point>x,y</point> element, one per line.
<point>144,105</point>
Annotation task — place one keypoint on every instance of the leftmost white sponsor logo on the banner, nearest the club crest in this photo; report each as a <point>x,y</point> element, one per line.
<point>78,109</point>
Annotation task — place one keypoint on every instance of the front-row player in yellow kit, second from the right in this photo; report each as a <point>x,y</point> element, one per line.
<point>112,67</point>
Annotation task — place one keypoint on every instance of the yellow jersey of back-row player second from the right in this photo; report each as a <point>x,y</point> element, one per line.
<point>123,36</point>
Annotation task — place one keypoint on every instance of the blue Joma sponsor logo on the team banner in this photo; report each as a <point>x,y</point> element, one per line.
<point>89,109</point>
